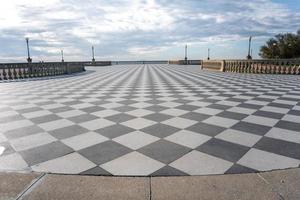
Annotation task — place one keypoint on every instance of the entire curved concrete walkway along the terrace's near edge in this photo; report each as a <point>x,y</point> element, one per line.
<point>283,184</point>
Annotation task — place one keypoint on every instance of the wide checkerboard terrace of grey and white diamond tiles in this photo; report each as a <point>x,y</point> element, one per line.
<point>152,120</point>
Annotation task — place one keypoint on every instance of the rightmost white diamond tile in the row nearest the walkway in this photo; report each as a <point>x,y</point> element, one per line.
<point>263,161</point>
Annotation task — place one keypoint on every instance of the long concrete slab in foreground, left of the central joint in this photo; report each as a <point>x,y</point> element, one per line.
<point>90,187</point>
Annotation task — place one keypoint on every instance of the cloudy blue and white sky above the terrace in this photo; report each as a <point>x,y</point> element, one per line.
<point>141,29</point>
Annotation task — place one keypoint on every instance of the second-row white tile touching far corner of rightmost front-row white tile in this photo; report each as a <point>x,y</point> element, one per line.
<point>239,137</point>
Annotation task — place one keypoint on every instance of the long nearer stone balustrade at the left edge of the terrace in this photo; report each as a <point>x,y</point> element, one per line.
<point>10,71</point>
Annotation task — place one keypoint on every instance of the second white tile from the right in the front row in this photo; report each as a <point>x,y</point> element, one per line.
<point>197,163</point>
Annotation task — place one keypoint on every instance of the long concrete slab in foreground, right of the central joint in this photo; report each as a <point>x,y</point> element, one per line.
<point>224,187</point>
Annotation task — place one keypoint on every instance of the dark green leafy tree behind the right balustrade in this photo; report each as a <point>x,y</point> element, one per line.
<point>283,46</point>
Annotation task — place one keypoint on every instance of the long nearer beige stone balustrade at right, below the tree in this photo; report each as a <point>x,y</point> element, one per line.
<point>278,66</point>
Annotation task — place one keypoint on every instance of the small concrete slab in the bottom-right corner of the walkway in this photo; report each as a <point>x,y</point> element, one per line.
<point>285,182</point>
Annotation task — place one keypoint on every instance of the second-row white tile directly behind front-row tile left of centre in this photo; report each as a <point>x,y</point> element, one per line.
<point>84,140</point>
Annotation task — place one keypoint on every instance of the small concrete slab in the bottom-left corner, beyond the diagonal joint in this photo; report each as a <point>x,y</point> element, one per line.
<point>12,184</point>
